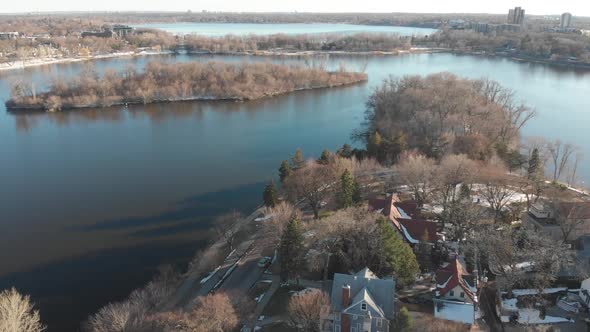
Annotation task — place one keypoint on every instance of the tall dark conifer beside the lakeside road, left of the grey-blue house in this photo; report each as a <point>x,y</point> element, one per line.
<point>291,250</point>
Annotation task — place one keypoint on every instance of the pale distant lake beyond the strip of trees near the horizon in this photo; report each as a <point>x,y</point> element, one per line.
<point>221,29</point>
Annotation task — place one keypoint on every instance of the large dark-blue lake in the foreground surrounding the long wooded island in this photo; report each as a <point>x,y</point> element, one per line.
<point>92,201</point>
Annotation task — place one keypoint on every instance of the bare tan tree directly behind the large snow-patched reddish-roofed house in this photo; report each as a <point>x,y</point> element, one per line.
<point>417,171</point>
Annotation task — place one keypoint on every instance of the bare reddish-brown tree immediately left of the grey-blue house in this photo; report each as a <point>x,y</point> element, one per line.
<point>304,310</point>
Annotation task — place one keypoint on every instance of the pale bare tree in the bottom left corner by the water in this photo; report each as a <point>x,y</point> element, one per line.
<point>17,313</point>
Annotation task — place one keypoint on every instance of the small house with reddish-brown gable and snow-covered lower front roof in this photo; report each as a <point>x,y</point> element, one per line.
<point>456,293</point>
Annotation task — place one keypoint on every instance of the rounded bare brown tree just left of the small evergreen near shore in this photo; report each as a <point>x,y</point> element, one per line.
<point>311,183</point>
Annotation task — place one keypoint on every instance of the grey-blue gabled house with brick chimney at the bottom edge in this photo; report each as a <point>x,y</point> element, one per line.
<point>360,303</point>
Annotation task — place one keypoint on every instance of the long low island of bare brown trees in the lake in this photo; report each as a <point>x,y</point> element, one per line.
<point>164,82</point>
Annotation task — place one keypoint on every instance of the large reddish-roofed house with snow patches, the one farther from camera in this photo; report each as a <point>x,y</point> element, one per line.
<point>406,217</point>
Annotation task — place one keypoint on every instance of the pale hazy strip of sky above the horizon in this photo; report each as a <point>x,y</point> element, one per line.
<point>577,7</point>
